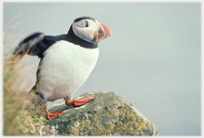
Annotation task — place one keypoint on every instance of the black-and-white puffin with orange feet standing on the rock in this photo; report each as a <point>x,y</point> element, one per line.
<point>66,60</point>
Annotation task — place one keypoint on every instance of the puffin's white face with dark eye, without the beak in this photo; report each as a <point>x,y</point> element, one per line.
<point>86,28</point>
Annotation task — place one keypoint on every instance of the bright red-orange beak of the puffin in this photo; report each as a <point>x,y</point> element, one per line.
<point>104,32</point>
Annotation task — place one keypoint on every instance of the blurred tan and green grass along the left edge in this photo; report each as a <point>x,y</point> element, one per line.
<point>16,120</point>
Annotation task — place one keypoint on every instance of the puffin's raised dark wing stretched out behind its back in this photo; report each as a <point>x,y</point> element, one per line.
<point>35,44</point>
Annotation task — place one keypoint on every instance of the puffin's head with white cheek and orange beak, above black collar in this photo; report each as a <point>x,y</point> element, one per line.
<point>90,30</point>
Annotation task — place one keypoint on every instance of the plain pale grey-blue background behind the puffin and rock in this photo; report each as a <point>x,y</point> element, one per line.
<point>153,58</point>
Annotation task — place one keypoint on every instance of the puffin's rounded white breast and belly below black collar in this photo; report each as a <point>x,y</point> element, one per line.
<point>65,67</point>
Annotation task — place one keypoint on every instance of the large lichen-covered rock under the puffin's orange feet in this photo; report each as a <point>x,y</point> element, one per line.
<point>108,114</point>
